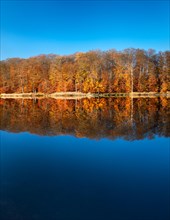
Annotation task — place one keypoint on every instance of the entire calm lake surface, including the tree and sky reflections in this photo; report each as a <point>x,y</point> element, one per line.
<point>85,159</point>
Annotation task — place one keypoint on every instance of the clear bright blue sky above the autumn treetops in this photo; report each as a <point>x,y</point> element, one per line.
<point>29,28</point>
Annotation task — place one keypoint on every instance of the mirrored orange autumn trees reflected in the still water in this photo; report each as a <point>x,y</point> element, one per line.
<point>92,118</point>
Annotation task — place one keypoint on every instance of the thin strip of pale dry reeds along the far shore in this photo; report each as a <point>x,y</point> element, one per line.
<point>79,95</point>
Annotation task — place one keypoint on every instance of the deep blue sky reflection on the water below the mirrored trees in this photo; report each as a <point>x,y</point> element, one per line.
<point>65,177</point>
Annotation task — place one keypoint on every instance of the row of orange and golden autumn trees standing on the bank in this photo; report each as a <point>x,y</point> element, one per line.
<point>95,71</point>
